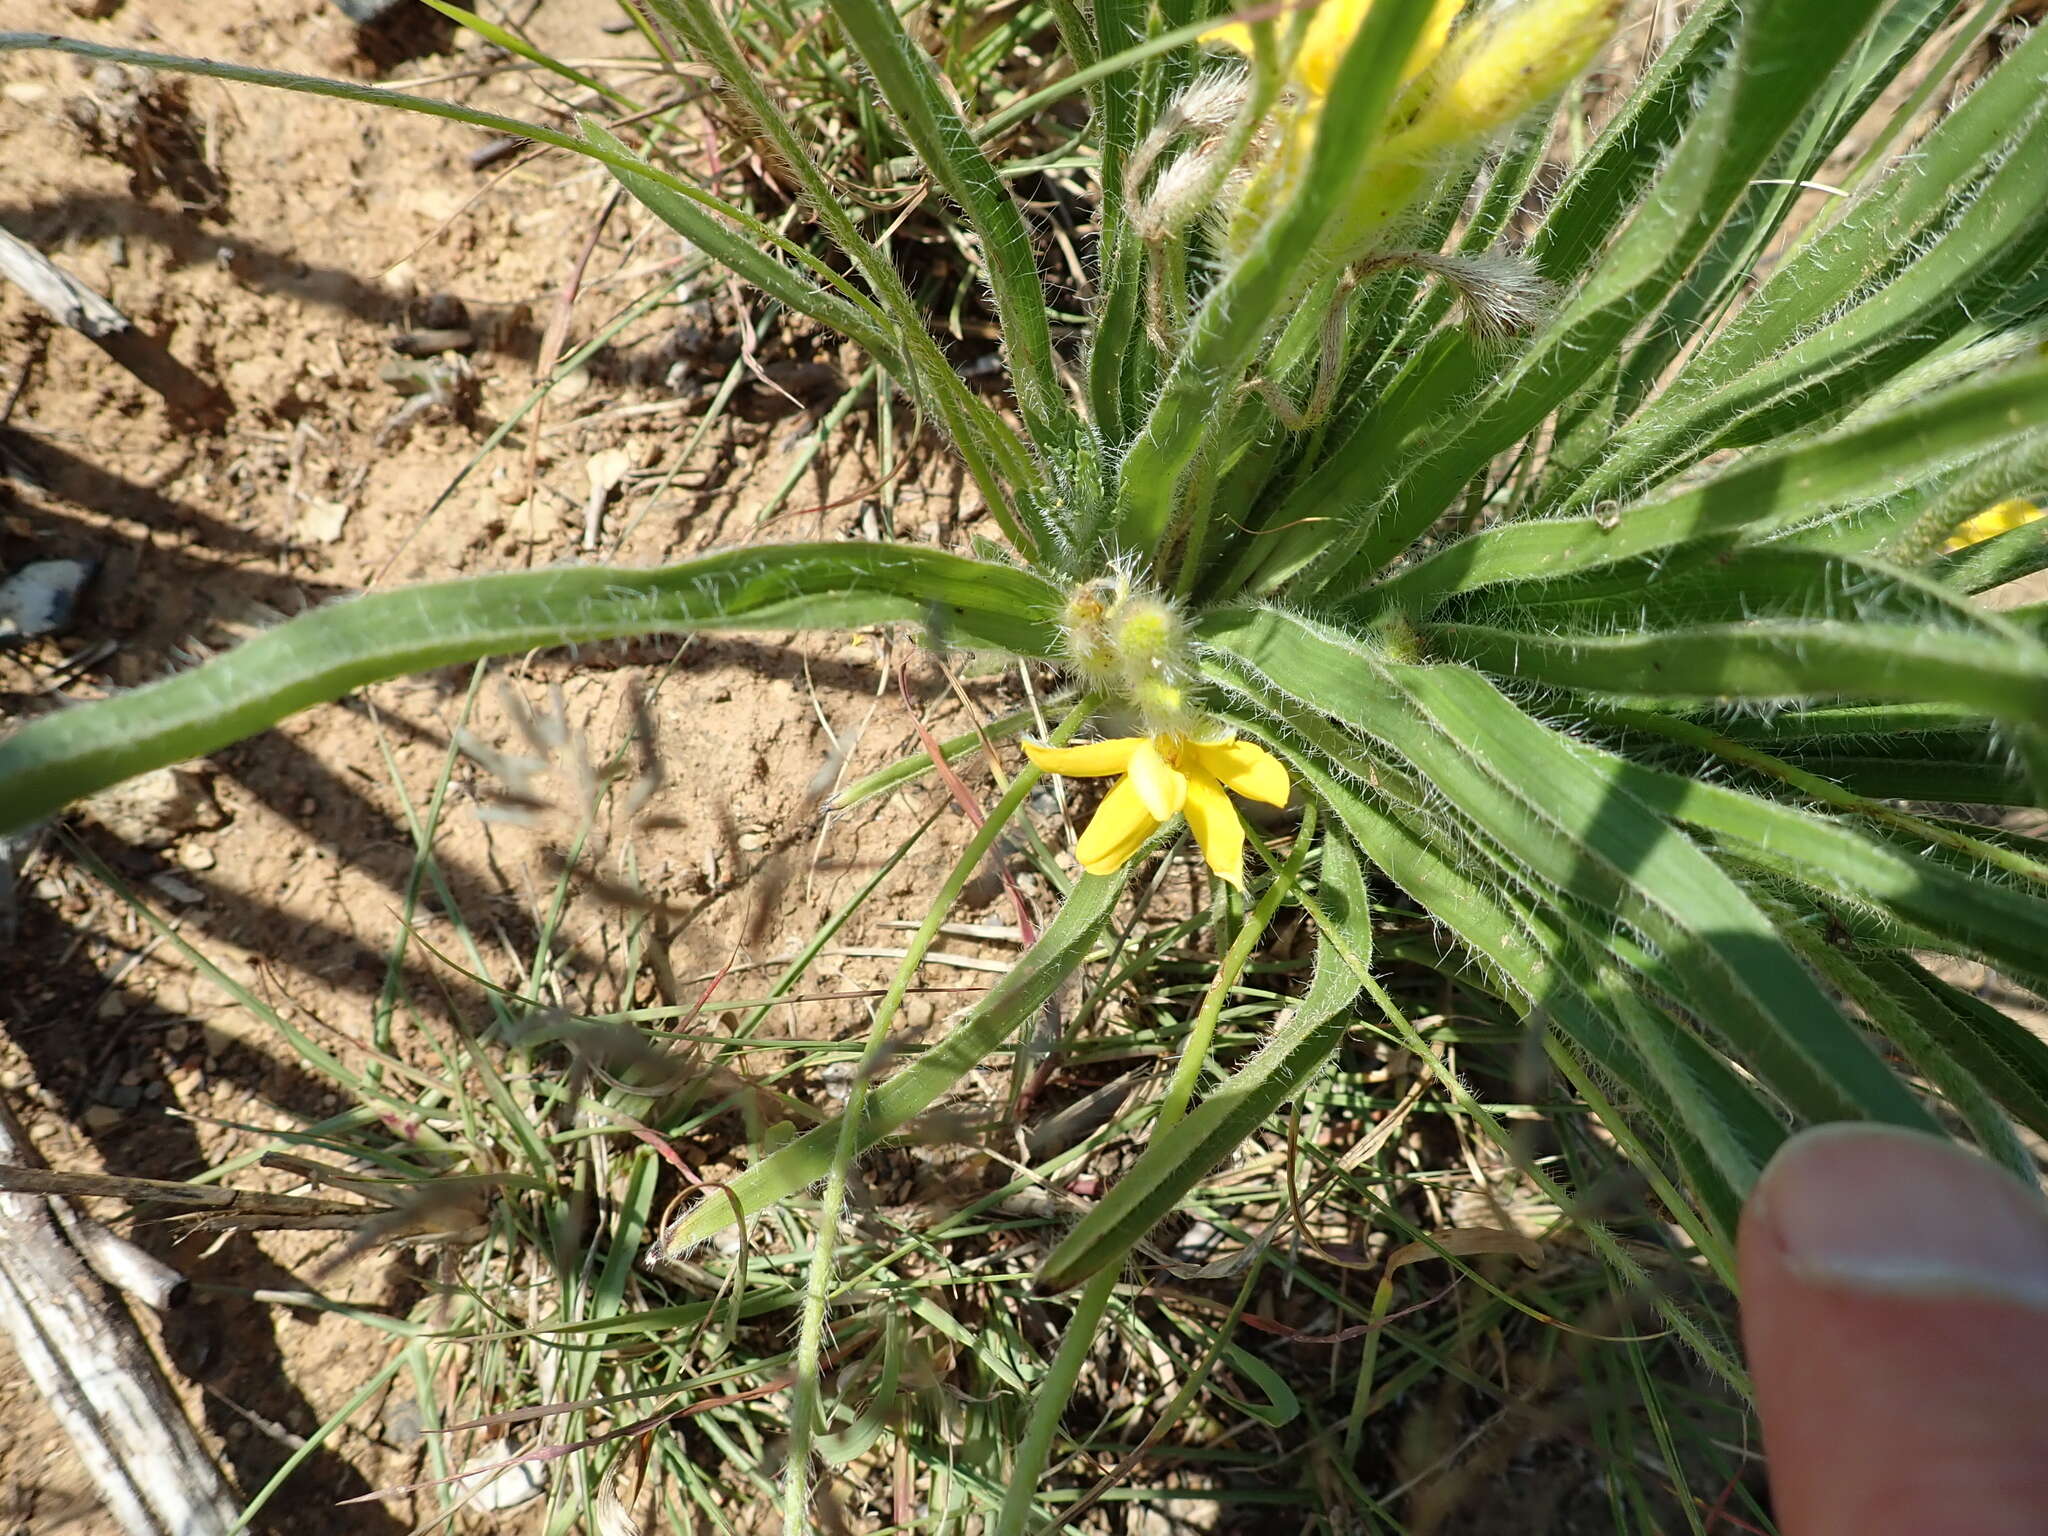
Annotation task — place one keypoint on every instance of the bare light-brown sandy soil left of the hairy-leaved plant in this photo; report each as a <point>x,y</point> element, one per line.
<point>282,247</point>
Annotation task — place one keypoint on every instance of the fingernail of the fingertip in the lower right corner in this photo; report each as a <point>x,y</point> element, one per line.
<point>1895,1211</point>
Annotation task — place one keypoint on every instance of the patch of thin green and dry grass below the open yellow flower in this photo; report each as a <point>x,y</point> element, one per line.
<point>937,1334</point>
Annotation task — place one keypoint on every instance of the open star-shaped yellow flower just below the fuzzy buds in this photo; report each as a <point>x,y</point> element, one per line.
<point>1166,777</point>
